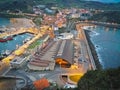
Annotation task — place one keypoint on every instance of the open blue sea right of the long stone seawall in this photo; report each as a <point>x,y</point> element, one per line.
<point>108,46</point>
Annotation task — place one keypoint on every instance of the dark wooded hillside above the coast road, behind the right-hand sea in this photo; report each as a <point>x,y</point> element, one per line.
<point>107,16</point>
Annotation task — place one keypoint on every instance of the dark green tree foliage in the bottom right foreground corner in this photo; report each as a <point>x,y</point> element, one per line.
<point>100,80</point>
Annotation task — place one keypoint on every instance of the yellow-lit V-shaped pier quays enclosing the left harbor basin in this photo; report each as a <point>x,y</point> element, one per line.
<point>5,63</point>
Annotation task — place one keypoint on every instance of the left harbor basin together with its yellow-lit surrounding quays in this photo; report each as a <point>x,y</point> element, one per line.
<point>21,40</point>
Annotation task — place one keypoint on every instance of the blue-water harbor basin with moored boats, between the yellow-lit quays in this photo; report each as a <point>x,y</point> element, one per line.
<point>7,47</point>
